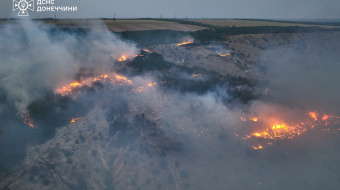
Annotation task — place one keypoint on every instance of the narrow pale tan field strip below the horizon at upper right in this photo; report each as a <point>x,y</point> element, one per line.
<point>242,23</point>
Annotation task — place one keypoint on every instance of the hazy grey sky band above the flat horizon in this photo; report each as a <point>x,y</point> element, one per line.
<point>267,9</point>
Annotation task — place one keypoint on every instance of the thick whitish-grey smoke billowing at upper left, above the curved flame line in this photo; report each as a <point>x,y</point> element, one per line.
<point>36,58</point>
